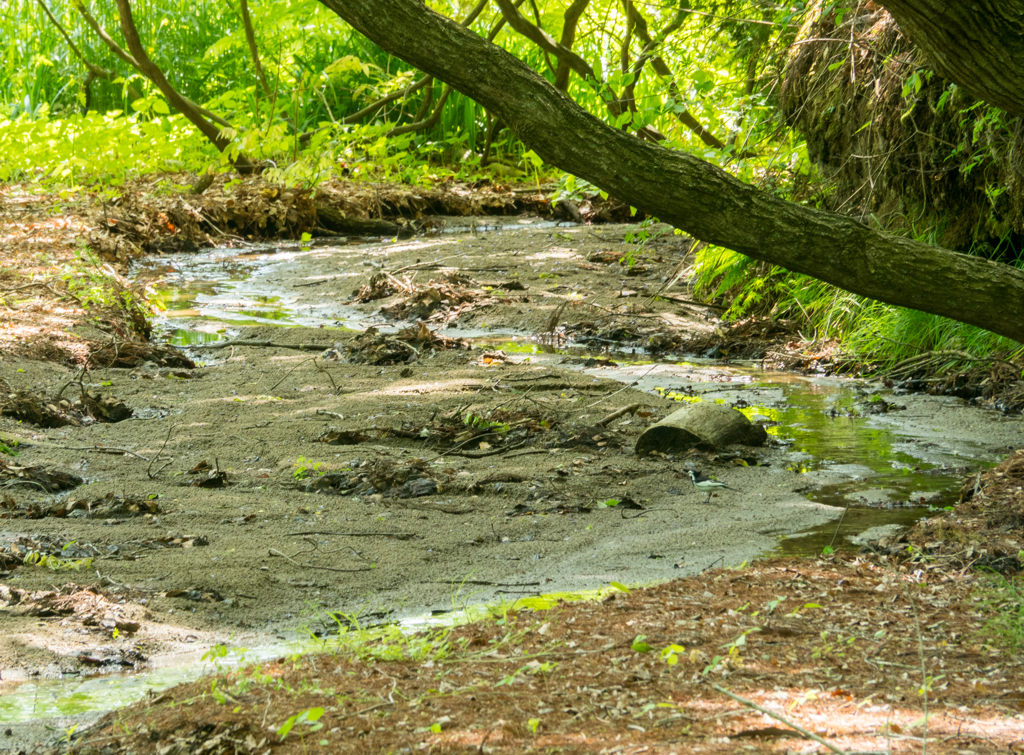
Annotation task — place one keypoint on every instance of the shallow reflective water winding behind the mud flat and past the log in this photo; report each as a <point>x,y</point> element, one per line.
<point>825,422</point>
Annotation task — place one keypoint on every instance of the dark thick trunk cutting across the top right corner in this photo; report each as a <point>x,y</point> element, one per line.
<point>977,45</point>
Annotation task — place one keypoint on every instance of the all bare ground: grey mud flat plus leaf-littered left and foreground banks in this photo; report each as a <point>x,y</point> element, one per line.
<point>184,501</point>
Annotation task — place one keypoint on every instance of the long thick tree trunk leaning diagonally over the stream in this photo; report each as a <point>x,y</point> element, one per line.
<point>689,193</point>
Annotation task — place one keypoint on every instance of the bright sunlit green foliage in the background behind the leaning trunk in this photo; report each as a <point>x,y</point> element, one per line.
<point>319,72</point>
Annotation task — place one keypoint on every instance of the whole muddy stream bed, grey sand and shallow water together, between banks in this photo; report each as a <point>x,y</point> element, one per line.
<point>233,536</point>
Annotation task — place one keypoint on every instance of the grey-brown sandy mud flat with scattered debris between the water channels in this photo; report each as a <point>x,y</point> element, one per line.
<point>275,486</point>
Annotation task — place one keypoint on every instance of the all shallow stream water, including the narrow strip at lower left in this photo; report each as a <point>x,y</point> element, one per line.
<point>884,470</point>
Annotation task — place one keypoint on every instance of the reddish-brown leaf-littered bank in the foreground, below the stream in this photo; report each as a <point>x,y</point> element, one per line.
<point>864,656</point>
